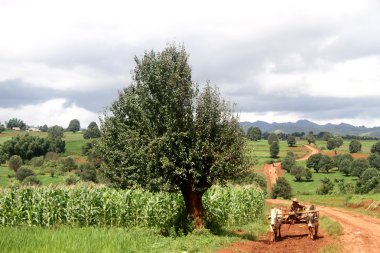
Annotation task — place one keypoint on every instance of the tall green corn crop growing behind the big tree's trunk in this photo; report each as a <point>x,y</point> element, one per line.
<point>122,208</point>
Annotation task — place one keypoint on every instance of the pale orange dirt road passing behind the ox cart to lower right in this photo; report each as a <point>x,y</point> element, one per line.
<point>361,233</point>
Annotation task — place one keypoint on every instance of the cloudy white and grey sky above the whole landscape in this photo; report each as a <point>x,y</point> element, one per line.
<point>278,60</point>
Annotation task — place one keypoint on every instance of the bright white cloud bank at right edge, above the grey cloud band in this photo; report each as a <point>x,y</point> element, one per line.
<point>352,78</point>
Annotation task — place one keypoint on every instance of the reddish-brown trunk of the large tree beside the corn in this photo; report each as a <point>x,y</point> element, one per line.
<point>194,205</point>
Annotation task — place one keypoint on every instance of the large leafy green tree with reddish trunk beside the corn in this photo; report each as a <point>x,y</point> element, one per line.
<point>162,134</point>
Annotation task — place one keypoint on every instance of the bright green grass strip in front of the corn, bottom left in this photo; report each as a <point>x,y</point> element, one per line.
<point>88,239</point>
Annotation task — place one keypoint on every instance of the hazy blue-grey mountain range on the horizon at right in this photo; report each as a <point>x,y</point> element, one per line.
<point>307,126</point>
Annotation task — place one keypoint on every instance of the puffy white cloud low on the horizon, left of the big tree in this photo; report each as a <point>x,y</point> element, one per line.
<point>52,112</point>
